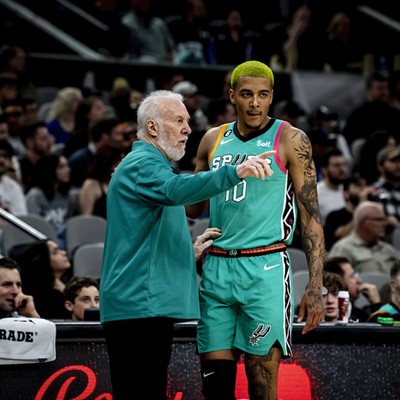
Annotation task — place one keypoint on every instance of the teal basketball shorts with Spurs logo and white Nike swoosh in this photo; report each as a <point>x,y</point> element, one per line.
<point>246,303</point>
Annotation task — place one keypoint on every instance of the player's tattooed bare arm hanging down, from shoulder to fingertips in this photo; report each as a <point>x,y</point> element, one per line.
<point>296,151</point>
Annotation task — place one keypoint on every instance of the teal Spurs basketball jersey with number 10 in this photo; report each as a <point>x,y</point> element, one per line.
<point>254,213</point>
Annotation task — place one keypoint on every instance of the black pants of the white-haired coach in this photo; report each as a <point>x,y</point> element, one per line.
<point>139,353</point>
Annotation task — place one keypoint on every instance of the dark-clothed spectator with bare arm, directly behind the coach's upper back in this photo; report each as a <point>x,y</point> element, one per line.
<point>93,194</point>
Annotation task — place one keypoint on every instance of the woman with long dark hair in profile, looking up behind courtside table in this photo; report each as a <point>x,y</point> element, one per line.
<point>45,270</point>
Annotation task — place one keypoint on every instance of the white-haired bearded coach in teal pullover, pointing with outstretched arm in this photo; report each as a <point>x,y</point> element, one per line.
<point>148,278</point>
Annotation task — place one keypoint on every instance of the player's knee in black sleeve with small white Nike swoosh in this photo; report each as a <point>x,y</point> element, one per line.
<point>219,379</point>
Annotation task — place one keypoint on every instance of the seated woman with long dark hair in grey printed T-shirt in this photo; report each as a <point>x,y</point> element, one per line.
<point>49,193</point>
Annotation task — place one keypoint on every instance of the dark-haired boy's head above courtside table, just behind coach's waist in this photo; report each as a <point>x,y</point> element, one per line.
<point>80,293</point>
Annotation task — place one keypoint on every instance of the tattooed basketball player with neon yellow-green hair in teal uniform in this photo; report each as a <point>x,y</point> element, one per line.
<point>245,294</point>
